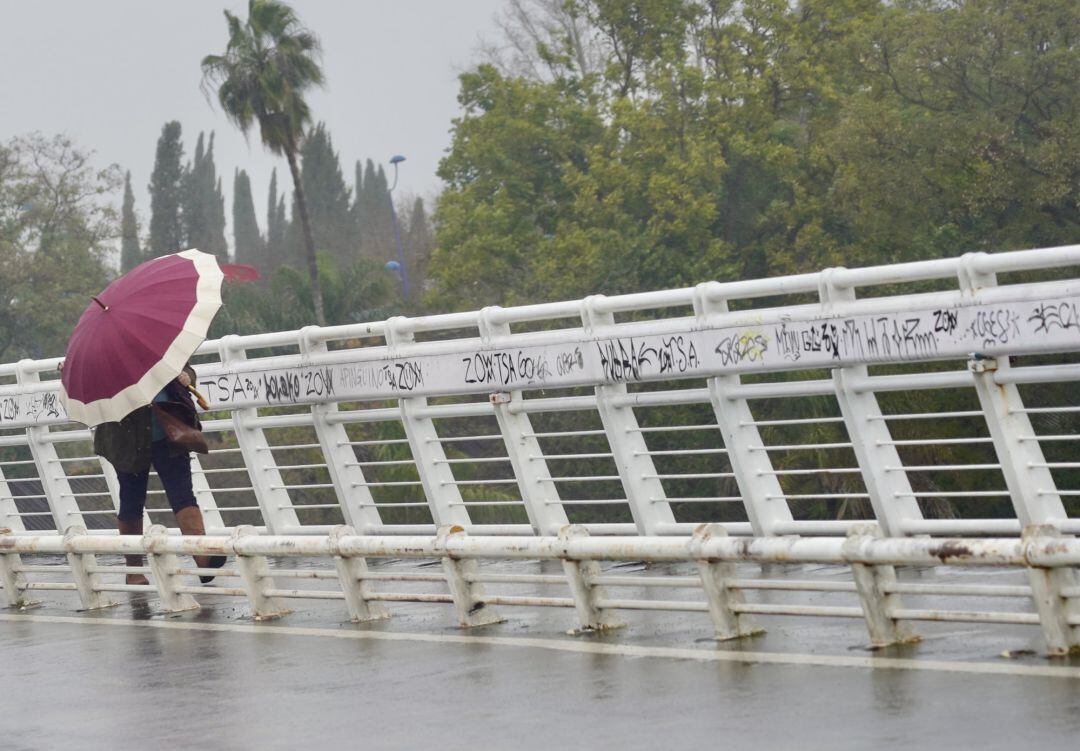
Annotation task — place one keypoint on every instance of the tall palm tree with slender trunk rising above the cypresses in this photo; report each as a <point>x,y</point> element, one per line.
<point>271,62</point>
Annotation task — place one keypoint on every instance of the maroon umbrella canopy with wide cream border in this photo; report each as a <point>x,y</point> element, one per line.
<point>138,336</point>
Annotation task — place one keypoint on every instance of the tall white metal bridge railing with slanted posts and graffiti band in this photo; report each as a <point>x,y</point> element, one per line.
<point>638,414</point>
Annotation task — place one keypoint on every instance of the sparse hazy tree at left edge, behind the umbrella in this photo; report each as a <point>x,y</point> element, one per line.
<point>58,230</point>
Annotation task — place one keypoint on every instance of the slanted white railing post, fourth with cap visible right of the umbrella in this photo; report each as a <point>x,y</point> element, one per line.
<point>539,494</point>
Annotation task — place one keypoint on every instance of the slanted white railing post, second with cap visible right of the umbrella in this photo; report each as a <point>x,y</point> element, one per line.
<point>358,505</point>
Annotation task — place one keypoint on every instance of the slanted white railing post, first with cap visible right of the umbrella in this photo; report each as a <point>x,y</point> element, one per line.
<point>278,512</point>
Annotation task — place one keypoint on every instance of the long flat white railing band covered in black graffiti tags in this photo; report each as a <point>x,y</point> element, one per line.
<point>679,348</point>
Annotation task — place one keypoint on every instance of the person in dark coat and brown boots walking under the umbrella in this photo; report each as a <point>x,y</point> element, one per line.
<point>132,447</point>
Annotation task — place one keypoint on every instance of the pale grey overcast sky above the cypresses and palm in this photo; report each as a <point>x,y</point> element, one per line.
<point>112,73</point>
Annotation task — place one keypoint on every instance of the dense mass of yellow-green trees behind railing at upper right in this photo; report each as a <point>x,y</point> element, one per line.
<point>612,146</point>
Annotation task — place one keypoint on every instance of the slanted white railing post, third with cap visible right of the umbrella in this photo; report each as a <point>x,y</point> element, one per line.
<point>443,497</point>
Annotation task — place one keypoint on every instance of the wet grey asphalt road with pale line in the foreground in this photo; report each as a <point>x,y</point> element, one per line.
<point>131,678</point>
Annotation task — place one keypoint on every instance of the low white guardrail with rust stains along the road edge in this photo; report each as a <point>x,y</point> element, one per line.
<point>1049,560</point>
